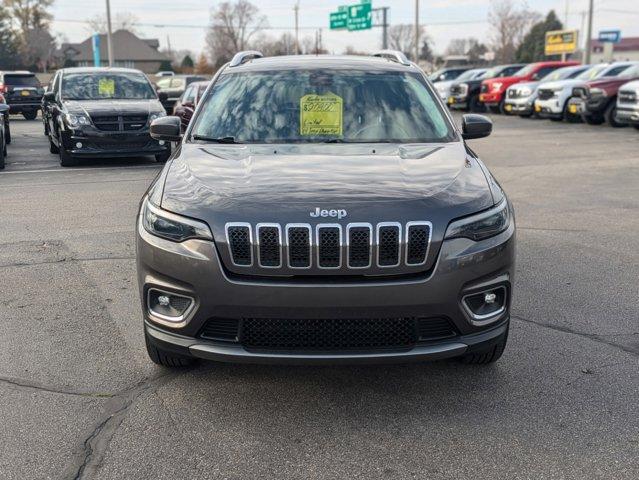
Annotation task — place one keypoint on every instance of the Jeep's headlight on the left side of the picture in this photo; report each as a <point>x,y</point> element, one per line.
<point>171,226</point>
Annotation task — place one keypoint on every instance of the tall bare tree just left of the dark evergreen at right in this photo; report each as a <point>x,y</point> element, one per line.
<point>509,21</point>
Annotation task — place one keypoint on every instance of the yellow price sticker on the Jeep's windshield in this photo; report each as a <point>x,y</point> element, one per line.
<point>321,114</point>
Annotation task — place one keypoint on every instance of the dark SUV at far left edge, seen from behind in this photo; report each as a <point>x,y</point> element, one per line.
<point>23,92</point>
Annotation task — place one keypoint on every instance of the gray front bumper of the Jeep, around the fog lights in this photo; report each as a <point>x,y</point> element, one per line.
<point>193,268</point>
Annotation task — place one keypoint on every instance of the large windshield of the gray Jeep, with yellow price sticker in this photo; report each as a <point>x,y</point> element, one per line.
<point>311,106</point>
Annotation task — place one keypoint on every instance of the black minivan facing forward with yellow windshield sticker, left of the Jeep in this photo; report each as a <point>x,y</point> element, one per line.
<point>102,112</point>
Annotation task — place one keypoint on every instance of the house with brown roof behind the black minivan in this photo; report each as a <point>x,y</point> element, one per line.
<point>129,51</point>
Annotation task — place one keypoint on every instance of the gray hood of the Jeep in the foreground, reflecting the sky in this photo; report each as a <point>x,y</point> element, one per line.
<point>283,184</point>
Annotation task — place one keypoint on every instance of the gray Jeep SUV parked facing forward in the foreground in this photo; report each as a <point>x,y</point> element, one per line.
<point>324,209</point>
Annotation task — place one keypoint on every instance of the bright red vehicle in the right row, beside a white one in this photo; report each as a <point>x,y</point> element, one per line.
<point>493,90</point>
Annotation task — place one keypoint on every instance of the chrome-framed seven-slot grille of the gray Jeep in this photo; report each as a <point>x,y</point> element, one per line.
<point>329,245</point>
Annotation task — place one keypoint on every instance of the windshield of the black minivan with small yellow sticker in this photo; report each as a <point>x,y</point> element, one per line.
<point>106,86</point>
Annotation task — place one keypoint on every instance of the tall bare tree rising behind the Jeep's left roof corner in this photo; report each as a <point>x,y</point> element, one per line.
<point>233,24</point>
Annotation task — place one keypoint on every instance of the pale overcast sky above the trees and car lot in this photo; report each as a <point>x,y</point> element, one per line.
<point>444,19</point>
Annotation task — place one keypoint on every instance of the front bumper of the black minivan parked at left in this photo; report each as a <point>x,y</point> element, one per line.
<point>92,143</point>
